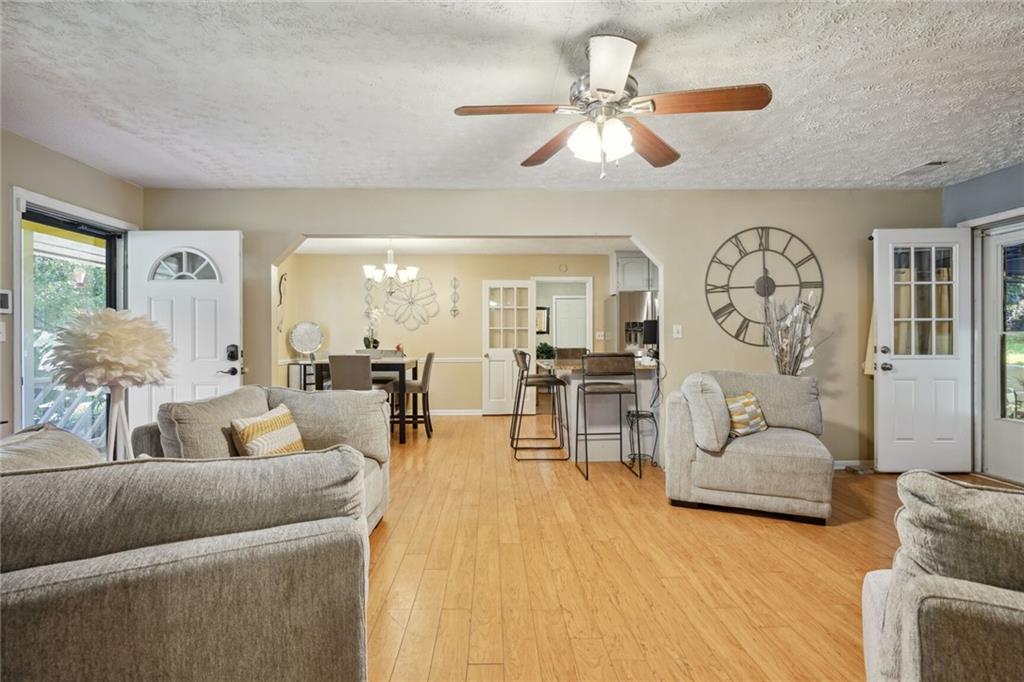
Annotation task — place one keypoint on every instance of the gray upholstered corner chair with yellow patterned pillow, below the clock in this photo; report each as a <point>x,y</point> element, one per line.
<point>785,470</point>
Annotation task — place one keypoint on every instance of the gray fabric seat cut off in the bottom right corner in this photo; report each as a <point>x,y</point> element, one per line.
<point>953,606</point>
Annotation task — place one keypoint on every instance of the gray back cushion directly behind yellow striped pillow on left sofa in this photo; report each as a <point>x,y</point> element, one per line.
<point>202,430</point>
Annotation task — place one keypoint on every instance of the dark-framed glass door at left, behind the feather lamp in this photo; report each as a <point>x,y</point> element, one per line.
<point>66,268</point>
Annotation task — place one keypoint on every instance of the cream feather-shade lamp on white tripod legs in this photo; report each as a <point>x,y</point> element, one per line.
<point>111,349</point>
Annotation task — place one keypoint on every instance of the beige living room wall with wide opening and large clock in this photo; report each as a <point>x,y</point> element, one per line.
<point>679,230</point>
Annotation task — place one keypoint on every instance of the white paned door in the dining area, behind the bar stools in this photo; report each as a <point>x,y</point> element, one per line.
<point>508,324</point>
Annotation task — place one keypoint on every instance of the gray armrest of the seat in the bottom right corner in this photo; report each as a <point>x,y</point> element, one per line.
<point>958,630</point>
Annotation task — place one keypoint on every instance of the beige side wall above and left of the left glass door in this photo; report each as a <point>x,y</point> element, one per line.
<point>36,168</point>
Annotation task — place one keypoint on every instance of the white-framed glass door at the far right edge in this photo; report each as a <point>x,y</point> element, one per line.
<point>1003,355</point>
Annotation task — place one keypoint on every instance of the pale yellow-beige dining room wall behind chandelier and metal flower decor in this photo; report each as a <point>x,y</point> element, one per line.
<point>329,290</point>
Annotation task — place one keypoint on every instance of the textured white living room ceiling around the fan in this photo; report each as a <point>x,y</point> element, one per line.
<point>361,96</point>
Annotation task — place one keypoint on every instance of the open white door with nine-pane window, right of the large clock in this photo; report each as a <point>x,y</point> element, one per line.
<point>923,400</point>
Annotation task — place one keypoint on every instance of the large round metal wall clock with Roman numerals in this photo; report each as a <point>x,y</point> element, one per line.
<point>752,266</point>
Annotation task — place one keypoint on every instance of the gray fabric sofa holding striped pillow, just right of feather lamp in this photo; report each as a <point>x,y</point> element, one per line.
<point>202,430</point>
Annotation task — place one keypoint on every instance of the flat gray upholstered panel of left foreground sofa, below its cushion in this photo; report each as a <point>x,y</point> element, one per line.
<point>190,611</point>
